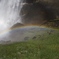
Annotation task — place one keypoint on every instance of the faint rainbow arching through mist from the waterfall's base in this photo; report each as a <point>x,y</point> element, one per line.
<point>11,29</point>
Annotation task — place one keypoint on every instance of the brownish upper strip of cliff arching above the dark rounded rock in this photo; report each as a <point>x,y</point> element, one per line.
<point>52,3</point>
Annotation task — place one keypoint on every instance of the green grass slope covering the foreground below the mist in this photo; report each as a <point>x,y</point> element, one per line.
<point>46,47</point>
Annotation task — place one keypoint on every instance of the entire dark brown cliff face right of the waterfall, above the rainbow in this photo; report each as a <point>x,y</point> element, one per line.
<point>40,12</point>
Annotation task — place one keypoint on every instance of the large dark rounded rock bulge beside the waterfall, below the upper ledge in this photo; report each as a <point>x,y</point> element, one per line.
<point>36,13</point>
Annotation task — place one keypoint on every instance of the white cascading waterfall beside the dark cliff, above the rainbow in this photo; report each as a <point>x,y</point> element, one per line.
<point>9,13</point>
